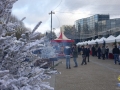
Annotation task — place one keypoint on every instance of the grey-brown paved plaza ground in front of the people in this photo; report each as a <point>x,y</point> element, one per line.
<point>98,74</point>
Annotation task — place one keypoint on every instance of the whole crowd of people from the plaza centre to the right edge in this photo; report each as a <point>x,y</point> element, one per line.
<point>86,51</point>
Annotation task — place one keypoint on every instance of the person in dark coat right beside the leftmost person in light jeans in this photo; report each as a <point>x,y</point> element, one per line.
<point>75,54</point>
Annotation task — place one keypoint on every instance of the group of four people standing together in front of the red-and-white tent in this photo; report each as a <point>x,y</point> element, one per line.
<point>74,51</point>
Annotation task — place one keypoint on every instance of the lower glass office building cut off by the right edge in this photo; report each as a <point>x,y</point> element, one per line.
<point>108,27</point>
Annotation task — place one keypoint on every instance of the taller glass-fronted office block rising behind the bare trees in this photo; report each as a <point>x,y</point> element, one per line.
<point>88,27</point>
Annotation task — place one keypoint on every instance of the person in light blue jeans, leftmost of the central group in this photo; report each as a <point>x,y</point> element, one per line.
<point>67,52</point>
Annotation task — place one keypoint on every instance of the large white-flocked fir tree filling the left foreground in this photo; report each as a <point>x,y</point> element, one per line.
<point>17,70</point>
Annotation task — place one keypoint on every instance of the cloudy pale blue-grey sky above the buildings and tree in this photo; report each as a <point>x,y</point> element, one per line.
<point>66,11</point>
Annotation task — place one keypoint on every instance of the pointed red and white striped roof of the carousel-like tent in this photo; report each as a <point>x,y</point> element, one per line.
<point>62,38</point>
